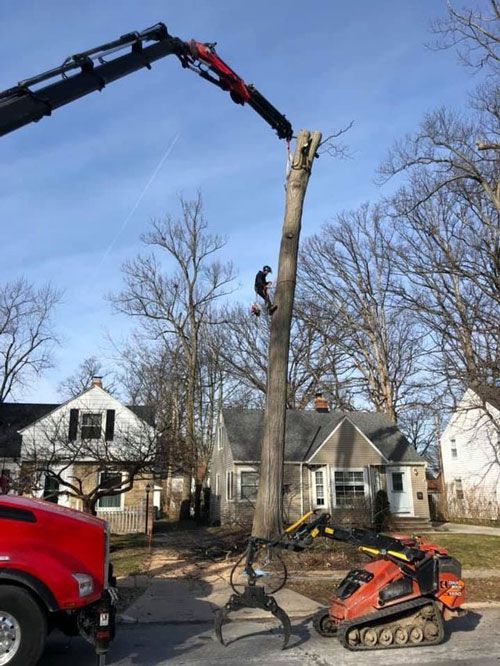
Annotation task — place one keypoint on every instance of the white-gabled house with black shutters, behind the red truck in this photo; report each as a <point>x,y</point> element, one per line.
<point>91,442</point>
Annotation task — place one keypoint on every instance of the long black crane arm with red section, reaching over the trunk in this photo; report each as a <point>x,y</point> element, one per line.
<point>83,73</point>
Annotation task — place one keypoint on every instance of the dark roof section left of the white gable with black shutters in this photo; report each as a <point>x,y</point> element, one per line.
<point>13,417</point>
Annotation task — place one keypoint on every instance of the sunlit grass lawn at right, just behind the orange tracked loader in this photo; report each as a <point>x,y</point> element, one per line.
<point>473,551</point>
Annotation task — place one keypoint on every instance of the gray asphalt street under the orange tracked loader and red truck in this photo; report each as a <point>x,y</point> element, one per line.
<point>473,639</point>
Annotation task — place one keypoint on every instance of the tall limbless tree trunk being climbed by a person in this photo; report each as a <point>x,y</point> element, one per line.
<point>267,522</point>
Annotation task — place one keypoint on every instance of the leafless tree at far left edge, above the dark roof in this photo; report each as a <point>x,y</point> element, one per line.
<point>27,335</point>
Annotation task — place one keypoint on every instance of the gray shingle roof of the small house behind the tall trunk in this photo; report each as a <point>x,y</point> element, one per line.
<point>307,430</point>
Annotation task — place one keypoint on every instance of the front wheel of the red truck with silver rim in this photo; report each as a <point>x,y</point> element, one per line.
<point>23,627</point>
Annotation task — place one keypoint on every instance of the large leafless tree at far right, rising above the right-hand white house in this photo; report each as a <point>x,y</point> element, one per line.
<point>448,258</point>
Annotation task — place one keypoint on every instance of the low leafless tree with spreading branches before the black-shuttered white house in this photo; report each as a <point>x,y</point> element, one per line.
<point>86,469</point>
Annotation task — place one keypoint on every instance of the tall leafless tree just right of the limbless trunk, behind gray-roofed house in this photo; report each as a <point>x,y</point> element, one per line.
<point>348,269</point>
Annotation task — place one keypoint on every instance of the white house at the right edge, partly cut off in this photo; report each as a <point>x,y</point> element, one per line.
<point>470,451</point>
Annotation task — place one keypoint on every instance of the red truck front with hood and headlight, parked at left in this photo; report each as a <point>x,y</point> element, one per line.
<point>54,573</point>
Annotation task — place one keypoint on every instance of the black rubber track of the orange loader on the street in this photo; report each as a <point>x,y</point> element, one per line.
<point>388,612</point>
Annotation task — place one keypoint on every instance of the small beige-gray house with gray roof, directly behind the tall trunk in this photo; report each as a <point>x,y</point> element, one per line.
<point>365,450</point>
